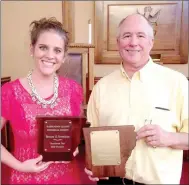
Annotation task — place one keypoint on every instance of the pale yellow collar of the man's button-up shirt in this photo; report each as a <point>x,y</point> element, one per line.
<point>143,74</point>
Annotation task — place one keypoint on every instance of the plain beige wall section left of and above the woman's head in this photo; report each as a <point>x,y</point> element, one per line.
<point>15,19</point>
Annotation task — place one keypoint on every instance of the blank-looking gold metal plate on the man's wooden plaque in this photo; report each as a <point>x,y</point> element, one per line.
<point>105,147</point>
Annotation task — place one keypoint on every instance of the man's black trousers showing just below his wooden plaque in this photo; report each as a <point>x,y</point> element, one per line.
<point>117,181</point>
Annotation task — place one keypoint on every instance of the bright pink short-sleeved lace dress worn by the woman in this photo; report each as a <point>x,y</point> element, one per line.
<point>20,110</point>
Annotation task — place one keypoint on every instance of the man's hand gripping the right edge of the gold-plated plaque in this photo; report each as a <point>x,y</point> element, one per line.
<point>154,136</point>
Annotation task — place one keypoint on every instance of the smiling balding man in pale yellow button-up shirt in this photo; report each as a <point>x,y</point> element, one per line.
<point>149,96</point>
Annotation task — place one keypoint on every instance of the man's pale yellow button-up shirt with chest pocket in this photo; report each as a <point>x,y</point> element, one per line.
<point>118,100</point>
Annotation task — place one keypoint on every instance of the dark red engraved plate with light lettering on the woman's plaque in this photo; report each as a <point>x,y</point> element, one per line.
<point>57,136</point>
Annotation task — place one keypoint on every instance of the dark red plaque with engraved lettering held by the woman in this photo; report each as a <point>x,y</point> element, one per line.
<point>59,136</point>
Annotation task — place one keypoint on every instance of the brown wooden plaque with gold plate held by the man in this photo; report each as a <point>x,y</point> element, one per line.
<point>108,168</point>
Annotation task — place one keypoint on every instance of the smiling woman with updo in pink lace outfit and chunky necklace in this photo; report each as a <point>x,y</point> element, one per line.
<point>41,92</point>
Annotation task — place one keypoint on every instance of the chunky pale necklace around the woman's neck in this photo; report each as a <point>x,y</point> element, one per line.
<point>36,97</point>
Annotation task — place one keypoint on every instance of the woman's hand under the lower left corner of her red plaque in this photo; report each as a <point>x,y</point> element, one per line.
<point>34,165</point>
